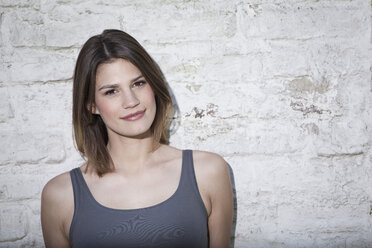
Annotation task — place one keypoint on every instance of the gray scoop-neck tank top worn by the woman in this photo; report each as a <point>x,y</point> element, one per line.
<point>179,221</point>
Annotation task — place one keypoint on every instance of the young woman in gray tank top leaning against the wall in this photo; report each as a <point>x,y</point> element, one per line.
<point>134,190</point>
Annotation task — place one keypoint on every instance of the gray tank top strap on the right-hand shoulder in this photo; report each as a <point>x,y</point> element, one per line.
<point>189,183</point>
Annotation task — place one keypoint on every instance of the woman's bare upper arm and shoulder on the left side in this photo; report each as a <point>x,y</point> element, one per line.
<point>55,211</point>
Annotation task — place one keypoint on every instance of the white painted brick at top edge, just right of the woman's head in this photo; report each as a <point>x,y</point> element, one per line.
<point>205,20</point>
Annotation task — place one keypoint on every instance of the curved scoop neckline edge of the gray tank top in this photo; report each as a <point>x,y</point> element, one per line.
<point>134,209</point>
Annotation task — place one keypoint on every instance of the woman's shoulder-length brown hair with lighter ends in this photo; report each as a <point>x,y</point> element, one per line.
<point>89,129</point>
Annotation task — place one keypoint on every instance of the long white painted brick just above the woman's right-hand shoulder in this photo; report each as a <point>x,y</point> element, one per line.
<point>270,138</point>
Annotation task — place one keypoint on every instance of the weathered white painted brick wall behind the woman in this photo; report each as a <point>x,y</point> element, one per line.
<point>281,89</point>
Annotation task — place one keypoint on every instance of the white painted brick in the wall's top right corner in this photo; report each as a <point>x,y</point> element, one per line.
<point>302,20</point>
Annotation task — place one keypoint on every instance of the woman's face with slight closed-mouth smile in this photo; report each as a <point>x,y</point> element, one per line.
<point>123,99</point>
